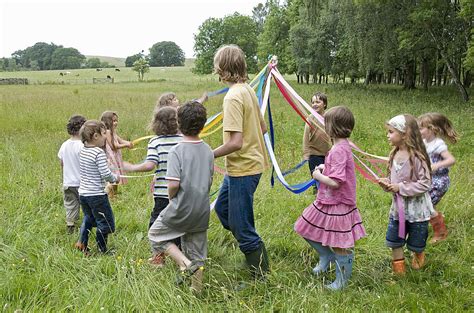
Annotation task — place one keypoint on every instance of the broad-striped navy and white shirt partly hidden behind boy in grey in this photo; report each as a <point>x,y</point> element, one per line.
<point>158,148</point>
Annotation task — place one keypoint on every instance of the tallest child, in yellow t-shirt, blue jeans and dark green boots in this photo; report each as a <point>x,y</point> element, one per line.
<point>244,151</point>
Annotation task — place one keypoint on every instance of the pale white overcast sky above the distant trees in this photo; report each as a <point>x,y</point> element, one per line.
<point>116,28</point>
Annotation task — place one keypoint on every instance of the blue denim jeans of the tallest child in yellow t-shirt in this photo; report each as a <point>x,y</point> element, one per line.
<point>234,207</point>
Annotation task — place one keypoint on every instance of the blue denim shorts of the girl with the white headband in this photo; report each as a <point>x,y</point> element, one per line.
<point>415,237</point>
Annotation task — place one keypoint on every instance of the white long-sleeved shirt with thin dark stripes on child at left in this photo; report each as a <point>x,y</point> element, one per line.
<point>94,171</point>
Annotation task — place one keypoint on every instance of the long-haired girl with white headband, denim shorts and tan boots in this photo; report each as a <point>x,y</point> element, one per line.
<point>410,181</point>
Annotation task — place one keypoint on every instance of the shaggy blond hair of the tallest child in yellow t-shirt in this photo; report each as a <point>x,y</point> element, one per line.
<point>230,65</point>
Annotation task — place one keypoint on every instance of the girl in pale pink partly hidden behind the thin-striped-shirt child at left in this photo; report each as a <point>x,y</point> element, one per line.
<point>112,147</point>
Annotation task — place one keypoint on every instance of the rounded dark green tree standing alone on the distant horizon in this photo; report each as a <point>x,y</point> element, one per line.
<point>166,53</point>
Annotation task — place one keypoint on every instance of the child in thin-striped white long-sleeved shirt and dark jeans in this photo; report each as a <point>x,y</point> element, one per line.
<point>94,174</point>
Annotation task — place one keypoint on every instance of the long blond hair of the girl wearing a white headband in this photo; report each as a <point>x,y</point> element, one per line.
<point>414,144</point>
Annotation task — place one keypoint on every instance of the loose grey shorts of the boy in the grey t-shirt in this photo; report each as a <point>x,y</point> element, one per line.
<point>194,245</point>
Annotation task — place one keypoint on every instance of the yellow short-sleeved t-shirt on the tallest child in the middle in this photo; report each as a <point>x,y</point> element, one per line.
<point>242,114</point>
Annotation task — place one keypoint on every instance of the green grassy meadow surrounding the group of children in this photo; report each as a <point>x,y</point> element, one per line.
<point>42,272</point>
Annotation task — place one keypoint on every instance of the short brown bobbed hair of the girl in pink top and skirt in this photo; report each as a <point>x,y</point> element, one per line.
<point>339,122</point>
